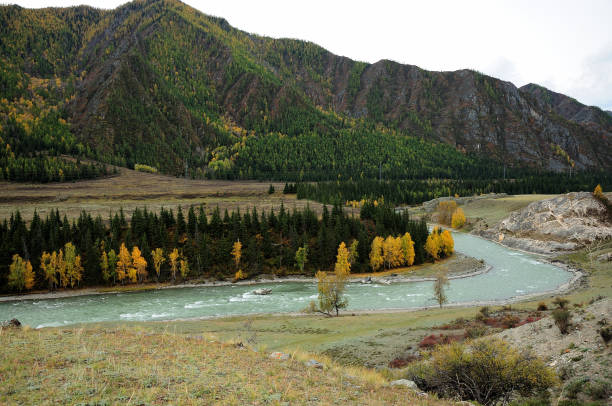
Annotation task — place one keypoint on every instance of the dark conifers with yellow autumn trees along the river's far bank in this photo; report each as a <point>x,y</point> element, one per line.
<point>171,246</point>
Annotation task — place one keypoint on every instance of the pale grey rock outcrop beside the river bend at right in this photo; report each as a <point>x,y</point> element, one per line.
<point>562,223</point>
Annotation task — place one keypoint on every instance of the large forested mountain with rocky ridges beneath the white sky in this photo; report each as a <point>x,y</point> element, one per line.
<point>160,83</point>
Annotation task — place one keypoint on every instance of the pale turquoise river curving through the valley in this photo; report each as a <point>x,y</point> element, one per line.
<point>512,274</point>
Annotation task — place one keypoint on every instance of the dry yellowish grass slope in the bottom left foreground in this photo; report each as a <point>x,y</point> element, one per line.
<point>128,366</point>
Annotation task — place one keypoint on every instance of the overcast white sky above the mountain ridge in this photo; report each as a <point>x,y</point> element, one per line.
<point>563,45</point>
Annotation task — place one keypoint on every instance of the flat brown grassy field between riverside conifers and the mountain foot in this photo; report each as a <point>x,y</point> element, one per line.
<point>131,189</point>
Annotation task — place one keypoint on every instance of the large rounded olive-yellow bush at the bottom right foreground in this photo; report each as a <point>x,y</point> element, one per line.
<point>485,370</point>
